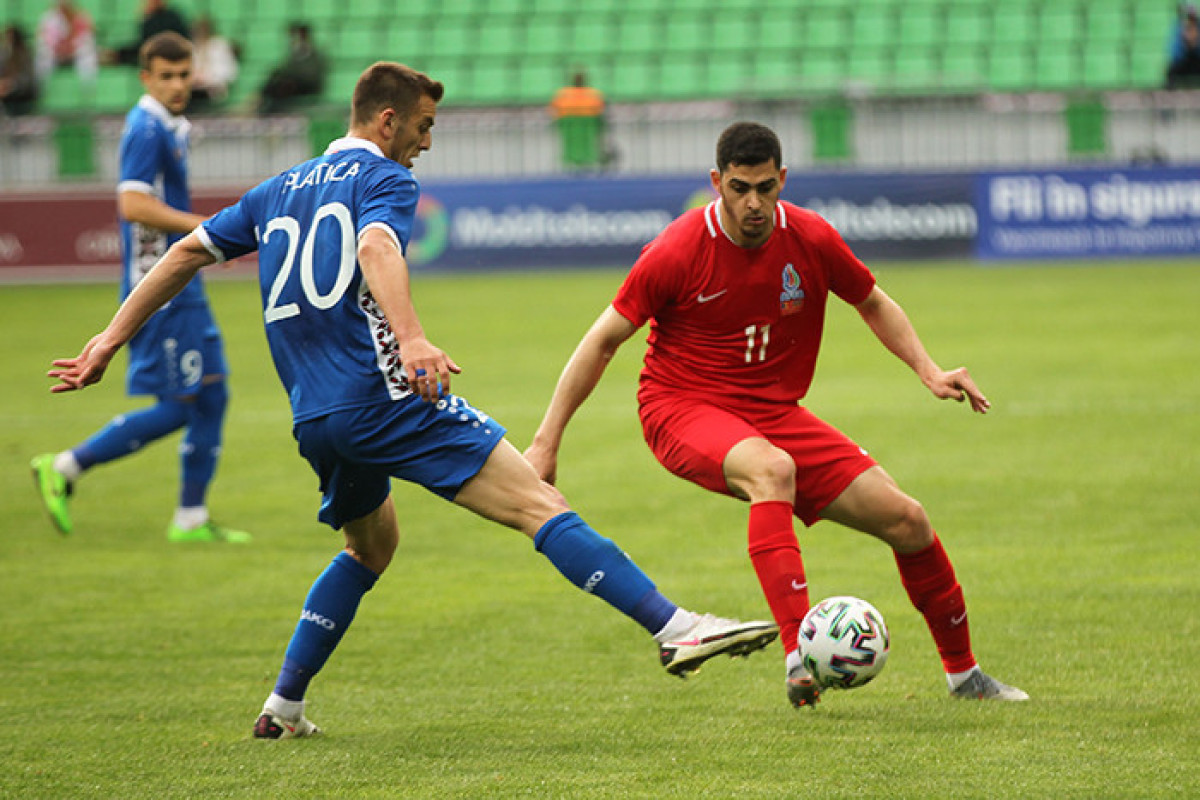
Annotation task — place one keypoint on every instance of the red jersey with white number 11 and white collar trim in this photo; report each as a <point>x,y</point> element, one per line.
<point>739,323</point>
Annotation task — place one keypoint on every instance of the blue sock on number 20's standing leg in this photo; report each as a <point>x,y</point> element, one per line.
<point>328,611</point>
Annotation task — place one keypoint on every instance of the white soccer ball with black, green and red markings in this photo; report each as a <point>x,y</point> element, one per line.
<point>844,642</point>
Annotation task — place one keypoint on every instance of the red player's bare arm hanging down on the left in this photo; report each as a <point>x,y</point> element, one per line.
<point>575,386</point>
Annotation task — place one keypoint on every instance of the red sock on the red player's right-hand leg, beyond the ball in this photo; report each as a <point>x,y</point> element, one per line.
<point>928,576</point>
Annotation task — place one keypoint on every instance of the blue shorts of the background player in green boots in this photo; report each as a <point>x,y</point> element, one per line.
<point>176,350</point>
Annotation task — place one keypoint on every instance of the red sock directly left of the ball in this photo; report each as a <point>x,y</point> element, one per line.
<point>776,555</point>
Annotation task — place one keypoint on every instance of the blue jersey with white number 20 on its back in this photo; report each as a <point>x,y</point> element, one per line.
<point>331,341</point>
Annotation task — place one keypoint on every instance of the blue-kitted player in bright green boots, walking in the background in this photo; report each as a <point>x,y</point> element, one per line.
<point>178,356</point>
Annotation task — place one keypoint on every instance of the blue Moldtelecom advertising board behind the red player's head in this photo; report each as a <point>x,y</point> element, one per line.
<point>607,221</point>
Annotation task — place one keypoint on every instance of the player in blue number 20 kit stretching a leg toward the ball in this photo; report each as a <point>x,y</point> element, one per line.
<point>371,395</point>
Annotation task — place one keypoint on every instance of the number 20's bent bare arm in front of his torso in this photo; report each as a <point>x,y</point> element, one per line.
<point>387,275</point>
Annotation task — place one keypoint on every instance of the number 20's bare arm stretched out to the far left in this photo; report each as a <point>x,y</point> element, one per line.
<point>164,282</point>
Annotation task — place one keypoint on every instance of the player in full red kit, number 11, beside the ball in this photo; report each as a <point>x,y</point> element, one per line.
<point>736,294</point>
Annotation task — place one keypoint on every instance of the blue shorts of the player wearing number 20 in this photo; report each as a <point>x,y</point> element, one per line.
<point>357,452</point>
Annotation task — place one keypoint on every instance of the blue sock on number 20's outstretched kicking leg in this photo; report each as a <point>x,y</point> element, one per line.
<point>598,567</point>
